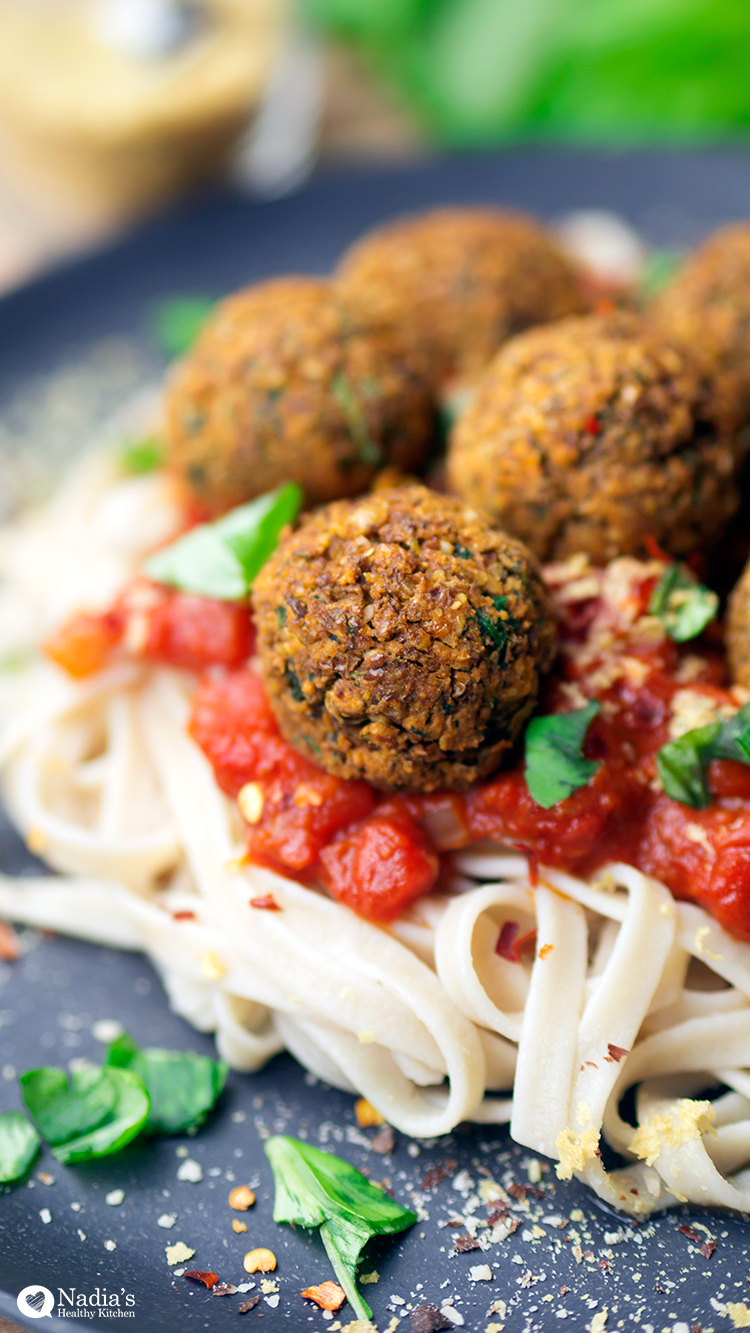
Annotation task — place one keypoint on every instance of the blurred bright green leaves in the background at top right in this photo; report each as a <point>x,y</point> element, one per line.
<point>597,71</point>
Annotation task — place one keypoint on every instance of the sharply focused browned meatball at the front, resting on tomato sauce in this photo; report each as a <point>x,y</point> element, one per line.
<point>402,639</point>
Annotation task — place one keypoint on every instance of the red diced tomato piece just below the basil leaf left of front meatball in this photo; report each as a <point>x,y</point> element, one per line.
<point>196,633</point>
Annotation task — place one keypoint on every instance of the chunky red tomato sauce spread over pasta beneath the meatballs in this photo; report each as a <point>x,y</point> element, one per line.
<point>376,852</point>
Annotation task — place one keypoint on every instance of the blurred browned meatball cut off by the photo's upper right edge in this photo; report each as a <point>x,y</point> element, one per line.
<point>707,309</point>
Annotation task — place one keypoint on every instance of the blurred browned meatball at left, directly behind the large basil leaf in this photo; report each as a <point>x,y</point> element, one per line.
<point>287,385</point>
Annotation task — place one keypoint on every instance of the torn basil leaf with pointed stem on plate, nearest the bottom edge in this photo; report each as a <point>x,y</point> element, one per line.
<point>316,1190</point>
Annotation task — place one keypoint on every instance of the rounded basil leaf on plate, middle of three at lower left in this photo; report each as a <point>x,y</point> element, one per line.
<point>95,1115</point>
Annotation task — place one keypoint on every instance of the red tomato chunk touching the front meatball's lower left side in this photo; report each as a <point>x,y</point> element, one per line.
<point>236,730</point>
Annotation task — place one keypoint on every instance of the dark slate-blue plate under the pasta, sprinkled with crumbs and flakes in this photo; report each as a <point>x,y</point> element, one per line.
<point>649,1278</point>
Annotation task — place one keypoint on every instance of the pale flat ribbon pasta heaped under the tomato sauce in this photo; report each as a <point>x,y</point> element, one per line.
<point>624,987</point>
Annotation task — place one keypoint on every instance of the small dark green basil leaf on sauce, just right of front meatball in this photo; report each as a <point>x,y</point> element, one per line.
<point>555,762</point>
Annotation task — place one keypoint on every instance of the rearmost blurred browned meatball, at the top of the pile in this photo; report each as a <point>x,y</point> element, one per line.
<point>460,282</point>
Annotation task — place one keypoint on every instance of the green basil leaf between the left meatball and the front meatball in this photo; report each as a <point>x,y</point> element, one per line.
<point>222,559</point>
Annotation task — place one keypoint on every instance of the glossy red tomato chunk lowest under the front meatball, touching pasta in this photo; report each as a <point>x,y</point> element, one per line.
<point>379,868</point>
